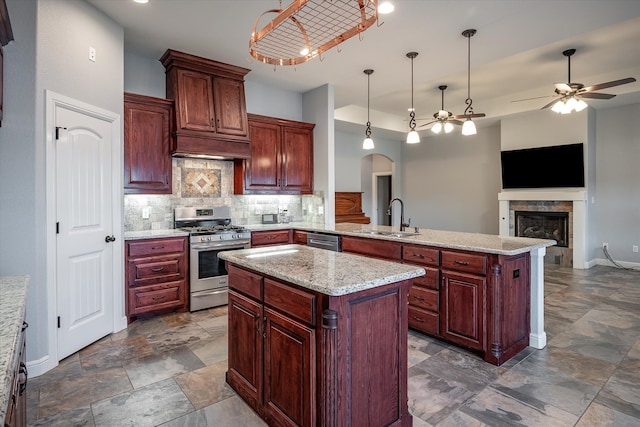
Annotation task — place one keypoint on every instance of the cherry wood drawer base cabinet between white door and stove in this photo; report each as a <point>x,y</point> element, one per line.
<point>156,276</point>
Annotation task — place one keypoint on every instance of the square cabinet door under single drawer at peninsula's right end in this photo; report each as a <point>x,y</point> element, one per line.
<point>462,309</point>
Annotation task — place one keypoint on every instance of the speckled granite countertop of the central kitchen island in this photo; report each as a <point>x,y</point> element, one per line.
<point>327,272</point>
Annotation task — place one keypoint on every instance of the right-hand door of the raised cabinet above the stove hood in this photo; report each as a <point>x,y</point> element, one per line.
<point>230,109</point>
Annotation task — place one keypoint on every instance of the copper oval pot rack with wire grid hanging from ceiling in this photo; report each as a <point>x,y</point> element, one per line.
<point>308,28</point>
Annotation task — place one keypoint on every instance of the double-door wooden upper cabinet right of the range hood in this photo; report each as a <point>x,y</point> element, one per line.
<point>281,158</point>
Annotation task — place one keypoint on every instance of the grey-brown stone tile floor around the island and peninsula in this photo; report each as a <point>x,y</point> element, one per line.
<point>170,370</point>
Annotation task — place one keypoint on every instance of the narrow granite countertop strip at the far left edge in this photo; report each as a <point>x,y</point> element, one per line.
<point>12,308</point>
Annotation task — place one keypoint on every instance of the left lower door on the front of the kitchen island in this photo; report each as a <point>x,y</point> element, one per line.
<point>245,348</point>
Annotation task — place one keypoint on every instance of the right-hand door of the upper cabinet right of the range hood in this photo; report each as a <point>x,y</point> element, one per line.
<point>297,160</point>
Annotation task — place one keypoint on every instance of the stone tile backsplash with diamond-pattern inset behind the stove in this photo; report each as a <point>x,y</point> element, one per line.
<point>201,182</point>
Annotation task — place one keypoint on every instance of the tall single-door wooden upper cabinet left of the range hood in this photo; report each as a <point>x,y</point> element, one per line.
<point>148,123</point>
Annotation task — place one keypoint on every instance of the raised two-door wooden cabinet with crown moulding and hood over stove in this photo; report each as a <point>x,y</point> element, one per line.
<point>211,112</point>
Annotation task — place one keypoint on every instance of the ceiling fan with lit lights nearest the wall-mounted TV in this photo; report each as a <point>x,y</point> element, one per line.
<point>571,94</point>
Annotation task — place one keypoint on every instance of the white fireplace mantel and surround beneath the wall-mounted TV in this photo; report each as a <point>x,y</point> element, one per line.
<point>579,199</point>
